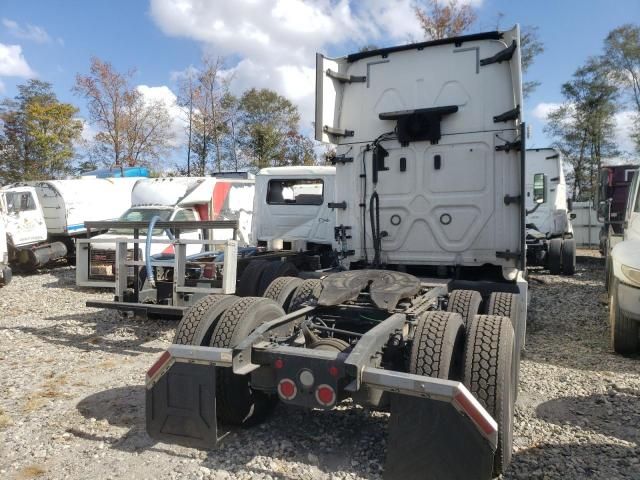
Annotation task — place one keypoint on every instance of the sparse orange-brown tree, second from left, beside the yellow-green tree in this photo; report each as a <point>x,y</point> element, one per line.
<point>130,129</point>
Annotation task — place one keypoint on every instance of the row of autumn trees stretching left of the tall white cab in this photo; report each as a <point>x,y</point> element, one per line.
<point>41,137</point>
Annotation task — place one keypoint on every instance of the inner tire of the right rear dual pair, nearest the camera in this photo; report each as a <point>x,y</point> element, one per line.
<point>438,345</point>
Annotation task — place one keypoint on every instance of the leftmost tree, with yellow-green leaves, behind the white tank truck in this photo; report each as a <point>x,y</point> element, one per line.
<point>38,134</point>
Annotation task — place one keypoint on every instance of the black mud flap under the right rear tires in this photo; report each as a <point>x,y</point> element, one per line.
<point>431,439</point>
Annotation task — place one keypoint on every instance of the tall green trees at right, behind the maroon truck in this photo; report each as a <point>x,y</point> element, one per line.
<point>583,126</point>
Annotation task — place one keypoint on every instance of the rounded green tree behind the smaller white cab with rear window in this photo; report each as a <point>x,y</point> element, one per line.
<point>268,122</point>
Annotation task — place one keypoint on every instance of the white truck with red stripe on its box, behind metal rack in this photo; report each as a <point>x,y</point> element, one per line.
<point>182,199</point>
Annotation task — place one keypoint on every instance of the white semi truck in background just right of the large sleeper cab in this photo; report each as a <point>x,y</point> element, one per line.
<point>550,241</point>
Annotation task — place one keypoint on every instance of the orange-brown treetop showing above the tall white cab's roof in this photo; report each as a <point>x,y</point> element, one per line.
<point>443,20</point>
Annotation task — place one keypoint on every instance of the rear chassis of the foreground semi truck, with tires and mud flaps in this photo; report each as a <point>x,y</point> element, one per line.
<point>382,338</point>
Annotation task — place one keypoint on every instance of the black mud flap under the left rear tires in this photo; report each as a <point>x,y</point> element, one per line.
<point>181,406</point>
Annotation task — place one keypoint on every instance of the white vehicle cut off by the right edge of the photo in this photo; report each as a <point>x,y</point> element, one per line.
<point>624,279</point>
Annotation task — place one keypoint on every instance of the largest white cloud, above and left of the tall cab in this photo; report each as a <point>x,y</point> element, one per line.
<point>274,41</point>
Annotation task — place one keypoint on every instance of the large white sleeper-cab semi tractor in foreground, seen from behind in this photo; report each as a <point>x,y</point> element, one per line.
<point>425,315</point>
